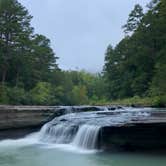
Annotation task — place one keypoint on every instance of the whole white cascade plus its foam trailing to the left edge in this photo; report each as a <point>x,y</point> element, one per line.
<point>79,131</point>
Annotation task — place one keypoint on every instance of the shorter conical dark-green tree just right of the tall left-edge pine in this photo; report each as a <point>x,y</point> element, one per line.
<point>39,62</point>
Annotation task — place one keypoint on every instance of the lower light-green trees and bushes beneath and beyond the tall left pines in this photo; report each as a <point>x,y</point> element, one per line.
<point>63,88</point>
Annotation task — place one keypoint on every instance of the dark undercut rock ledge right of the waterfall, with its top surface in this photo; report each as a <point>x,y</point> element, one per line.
<point>140,133</point>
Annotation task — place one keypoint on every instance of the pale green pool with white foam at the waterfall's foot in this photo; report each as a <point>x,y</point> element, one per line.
<point>26,152</point>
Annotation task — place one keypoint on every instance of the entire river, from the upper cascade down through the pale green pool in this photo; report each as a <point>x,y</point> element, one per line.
<point>71,140</point>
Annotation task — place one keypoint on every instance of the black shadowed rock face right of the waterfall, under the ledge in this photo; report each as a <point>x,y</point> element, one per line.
<point>134,137</point>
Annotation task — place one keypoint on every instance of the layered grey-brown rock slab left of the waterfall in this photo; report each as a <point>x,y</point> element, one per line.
<point>24,116</point>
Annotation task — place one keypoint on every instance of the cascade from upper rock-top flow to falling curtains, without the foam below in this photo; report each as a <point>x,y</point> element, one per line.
<point>82,129</point>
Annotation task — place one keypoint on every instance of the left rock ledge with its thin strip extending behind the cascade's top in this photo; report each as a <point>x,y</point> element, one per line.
<point>12,117</point>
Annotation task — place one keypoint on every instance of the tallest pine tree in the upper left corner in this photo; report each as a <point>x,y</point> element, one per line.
<point>14,29</point>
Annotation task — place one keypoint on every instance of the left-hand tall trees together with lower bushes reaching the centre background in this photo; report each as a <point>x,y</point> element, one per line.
<point>29,73</point>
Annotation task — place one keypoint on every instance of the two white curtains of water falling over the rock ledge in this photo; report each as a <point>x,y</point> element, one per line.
<point>83,136</point>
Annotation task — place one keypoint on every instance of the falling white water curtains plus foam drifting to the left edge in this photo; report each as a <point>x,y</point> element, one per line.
<point>61,136</point>
